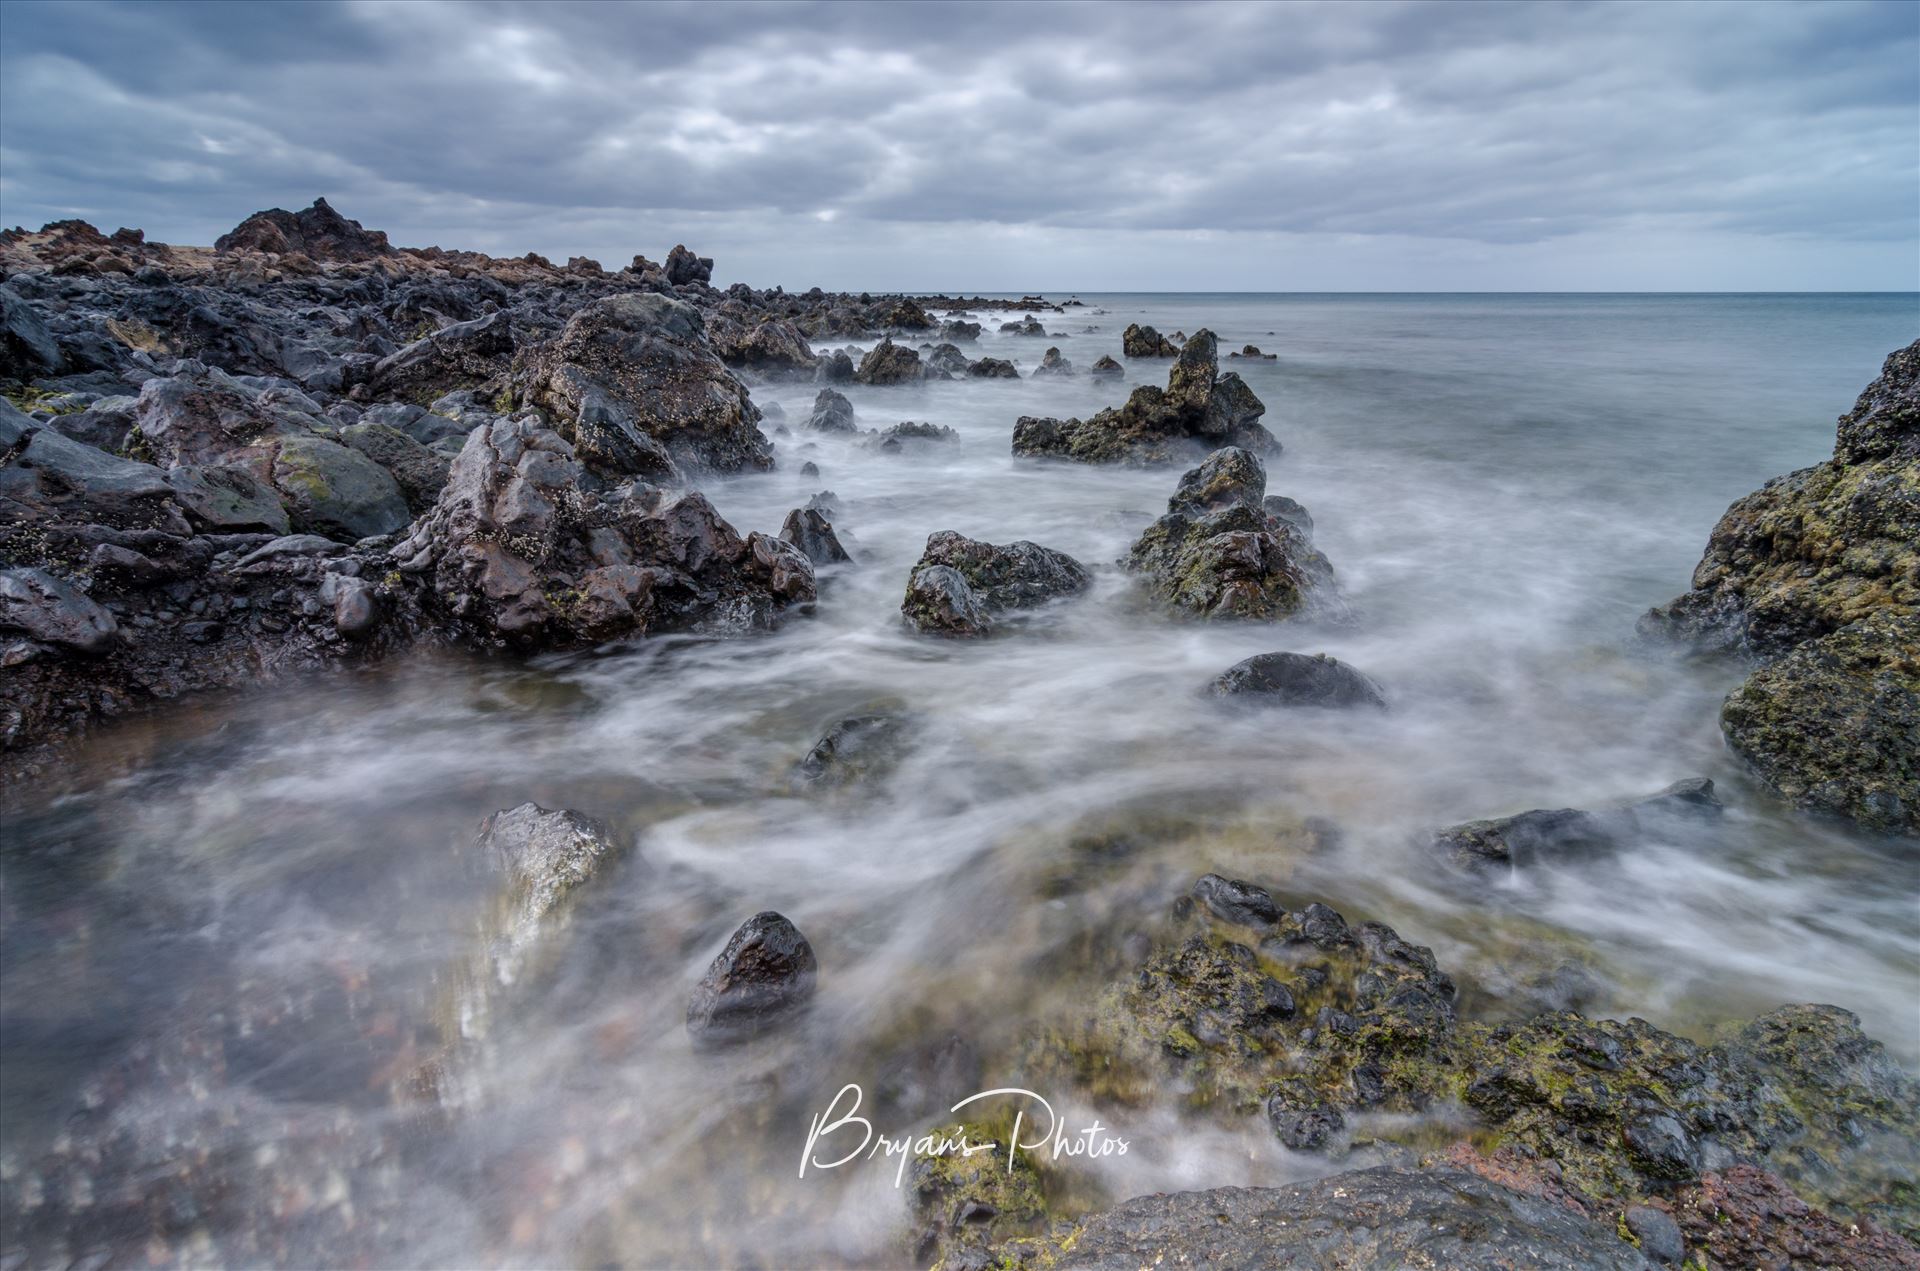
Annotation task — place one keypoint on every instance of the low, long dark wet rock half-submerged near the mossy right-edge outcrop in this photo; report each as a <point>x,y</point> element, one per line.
<point>1570,834</point>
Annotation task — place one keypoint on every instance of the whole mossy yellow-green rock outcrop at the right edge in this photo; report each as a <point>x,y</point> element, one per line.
<point>1821,569</point>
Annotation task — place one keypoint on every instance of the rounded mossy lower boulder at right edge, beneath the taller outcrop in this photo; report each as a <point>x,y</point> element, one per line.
<point>1835,725</point>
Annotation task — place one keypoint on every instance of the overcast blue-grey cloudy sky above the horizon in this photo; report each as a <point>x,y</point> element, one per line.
<point>1007,149</point>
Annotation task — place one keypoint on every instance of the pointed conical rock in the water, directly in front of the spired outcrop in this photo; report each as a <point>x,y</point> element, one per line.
<point>1218,554</point>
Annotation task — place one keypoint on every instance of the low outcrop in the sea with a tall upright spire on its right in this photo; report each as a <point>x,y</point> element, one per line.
<point>1197,412</point>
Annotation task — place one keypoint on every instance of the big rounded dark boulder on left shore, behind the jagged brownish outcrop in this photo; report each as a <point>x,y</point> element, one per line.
<point>633,377</point>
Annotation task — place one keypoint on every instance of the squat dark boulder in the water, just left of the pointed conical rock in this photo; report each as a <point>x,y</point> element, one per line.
<point>961,585</point>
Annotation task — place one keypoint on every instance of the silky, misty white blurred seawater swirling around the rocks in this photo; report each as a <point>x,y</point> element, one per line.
<point>1502,485</point>
